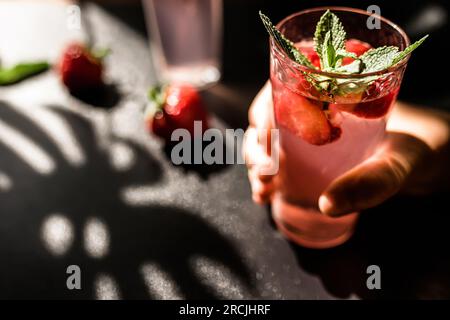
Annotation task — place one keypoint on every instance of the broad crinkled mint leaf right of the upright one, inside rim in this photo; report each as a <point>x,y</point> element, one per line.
<point>378,59</point>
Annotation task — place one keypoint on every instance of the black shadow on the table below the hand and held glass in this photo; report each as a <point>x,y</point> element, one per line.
<point>406,237</point>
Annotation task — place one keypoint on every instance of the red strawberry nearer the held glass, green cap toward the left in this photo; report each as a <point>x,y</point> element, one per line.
<point>172,107</point>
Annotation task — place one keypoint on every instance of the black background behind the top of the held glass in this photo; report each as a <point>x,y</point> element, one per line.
<point>246,54</point>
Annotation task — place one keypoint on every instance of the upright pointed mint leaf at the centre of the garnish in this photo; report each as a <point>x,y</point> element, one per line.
<point>329,23</point>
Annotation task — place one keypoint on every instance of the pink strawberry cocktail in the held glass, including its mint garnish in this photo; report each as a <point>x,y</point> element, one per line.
<point>334,81</point>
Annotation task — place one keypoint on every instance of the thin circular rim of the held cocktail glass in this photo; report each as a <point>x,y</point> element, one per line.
<point>394,68</point>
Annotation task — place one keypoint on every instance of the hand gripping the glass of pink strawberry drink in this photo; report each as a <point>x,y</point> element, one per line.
<point>412,158</point>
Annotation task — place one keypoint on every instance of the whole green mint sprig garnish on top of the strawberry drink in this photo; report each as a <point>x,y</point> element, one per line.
<point>329,44</point>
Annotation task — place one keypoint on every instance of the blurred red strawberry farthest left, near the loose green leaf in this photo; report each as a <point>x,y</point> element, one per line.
<point>80,70</point>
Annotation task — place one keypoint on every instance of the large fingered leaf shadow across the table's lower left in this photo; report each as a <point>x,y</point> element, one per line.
<point>95,228</point>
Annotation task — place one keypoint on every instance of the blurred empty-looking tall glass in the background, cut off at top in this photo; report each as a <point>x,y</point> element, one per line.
<point>185,39</point>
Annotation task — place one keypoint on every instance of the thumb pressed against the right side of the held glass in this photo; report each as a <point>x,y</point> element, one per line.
<point>376,179</point>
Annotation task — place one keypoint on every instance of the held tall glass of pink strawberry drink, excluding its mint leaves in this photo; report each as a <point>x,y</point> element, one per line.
<point>356,125</point>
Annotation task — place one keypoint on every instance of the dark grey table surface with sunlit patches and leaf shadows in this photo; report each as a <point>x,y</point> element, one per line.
<point>82,183</point>
